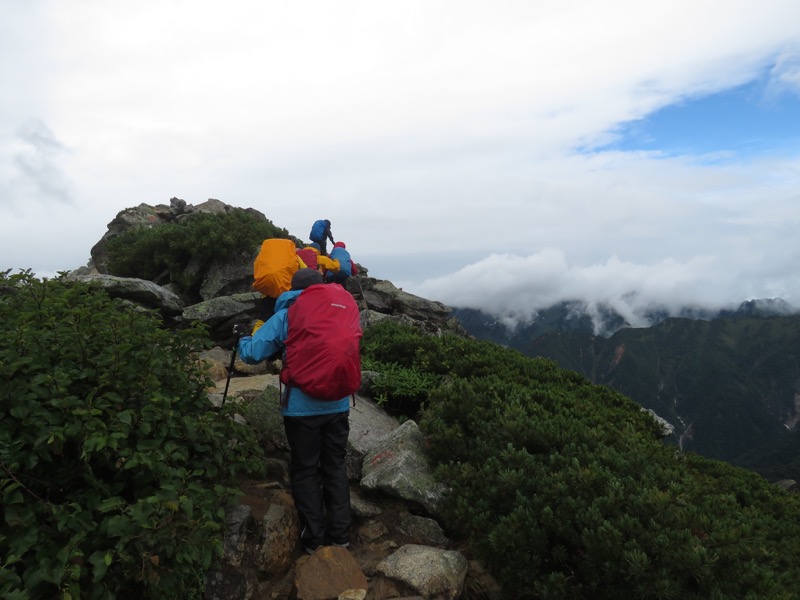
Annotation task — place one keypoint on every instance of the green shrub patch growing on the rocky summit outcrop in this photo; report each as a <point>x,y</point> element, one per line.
<point>184,248</point>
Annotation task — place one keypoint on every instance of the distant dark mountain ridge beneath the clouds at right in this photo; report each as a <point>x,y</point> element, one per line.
<point>729,383</point>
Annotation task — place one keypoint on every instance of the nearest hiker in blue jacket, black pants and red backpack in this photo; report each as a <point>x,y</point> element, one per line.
<point>317,330</point>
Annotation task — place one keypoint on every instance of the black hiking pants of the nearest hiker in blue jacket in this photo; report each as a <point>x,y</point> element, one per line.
<point>320,487</point>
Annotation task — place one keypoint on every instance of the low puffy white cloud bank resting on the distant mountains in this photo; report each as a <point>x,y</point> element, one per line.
<point>515,288</point>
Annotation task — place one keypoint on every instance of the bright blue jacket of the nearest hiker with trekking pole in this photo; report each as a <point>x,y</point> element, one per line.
<point>268,341</point>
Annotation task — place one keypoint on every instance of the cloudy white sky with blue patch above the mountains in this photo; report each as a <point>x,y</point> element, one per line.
<point>502,155</point>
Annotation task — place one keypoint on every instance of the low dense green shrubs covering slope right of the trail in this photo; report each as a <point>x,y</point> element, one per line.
<point>566,492</point>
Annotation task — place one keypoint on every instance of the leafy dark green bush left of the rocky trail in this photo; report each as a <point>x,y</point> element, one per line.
<point>114,468</point>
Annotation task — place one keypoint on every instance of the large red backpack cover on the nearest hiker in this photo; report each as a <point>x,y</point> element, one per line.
<point>323,354</point>
